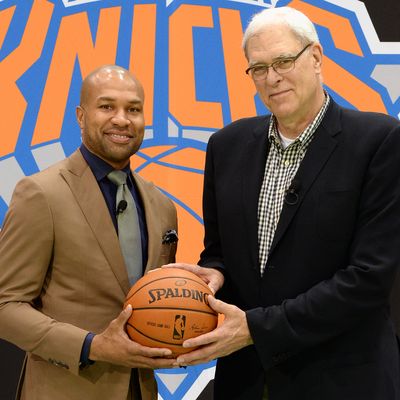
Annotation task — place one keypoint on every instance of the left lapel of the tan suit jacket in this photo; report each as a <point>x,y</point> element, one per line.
<point>88,195</point>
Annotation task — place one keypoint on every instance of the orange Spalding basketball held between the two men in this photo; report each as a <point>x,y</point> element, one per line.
<point>169,305</point>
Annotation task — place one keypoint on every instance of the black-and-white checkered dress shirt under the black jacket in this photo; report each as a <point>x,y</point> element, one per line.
<point>280,169</point>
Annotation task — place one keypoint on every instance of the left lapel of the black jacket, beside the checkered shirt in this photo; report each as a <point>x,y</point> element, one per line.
<point>255,155</point>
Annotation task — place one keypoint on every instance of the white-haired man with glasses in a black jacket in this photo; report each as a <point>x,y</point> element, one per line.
<point>302,236</point>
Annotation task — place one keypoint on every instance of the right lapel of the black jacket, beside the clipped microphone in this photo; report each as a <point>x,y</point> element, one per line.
<point>318,153</point>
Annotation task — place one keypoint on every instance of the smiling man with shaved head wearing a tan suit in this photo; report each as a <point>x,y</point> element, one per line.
<point>63,279</point>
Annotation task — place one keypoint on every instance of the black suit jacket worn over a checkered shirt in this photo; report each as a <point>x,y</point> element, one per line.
<point>320,315</point>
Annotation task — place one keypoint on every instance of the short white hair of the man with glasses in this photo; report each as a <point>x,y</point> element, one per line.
<point>296,21</point>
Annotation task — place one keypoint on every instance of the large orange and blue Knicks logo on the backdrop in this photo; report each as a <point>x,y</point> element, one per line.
<point>189,59</point>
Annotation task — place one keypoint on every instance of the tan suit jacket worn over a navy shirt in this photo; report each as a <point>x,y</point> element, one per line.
<point>62,275</point>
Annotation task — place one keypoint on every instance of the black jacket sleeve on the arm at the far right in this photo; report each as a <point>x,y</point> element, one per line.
<point>356,290</point>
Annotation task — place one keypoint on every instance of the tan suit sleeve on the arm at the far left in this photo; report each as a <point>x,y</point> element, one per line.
<point>26,244</point>
